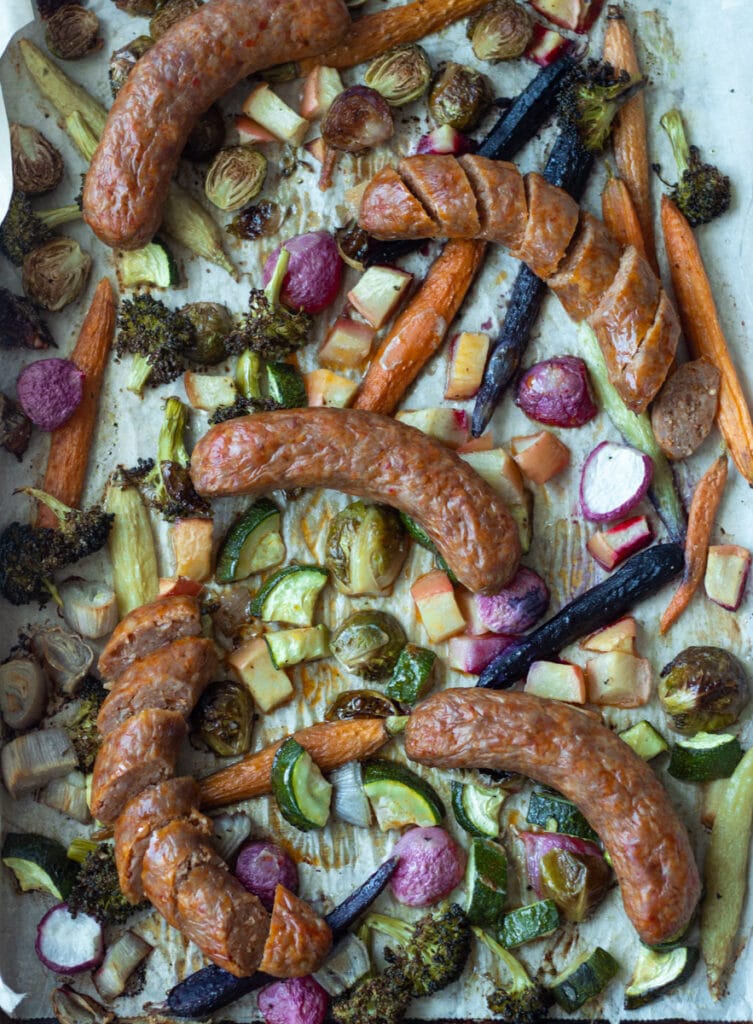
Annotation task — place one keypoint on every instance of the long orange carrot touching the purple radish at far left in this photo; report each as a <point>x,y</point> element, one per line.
<point>71,444</point>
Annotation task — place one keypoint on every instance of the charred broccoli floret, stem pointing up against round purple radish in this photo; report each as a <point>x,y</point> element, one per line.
<point>269,328</point>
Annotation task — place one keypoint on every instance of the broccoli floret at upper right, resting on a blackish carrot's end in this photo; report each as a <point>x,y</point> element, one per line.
<point>592,98</point>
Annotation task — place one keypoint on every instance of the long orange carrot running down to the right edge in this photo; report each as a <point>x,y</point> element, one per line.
<point>704,334</point>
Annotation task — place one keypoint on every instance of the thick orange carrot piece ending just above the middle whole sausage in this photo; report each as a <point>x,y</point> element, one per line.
<point>420,330</point>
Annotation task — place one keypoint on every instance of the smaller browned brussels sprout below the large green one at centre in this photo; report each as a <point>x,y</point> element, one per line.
<point>368,644</point>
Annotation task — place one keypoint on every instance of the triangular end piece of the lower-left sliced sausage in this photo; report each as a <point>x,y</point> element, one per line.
<point>300,941</point>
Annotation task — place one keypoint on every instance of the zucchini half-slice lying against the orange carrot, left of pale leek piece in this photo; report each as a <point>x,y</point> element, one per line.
<point>303,793</point>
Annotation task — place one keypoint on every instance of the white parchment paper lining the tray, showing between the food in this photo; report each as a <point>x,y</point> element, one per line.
<point>697,58</point>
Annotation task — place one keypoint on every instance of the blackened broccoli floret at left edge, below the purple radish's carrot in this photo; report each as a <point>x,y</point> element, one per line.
<point>31,556</point>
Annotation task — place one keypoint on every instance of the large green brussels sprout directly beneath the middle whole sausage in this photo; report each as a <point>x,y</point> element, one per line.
<point>366,548</point>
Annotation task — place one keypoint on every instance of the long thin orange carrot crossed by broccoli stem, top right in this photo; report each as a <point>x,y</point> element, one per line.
<point>630,140</point>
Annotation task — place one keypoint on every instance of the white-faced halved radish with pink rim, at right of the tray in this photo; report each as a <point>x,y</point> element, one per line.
<point>615,479</point>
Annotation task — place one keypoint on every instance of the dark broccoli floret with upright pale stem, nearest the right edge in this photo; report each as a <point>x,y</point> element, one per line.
<point>702,192</point>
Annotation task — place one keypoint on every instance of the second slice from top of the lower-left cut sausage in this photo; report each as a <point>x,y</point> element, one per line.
<point>173,677</point>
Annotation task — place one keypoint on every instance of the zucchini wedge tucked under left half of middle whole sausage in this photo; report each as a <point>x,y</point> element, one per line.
<point>254,543</point>
